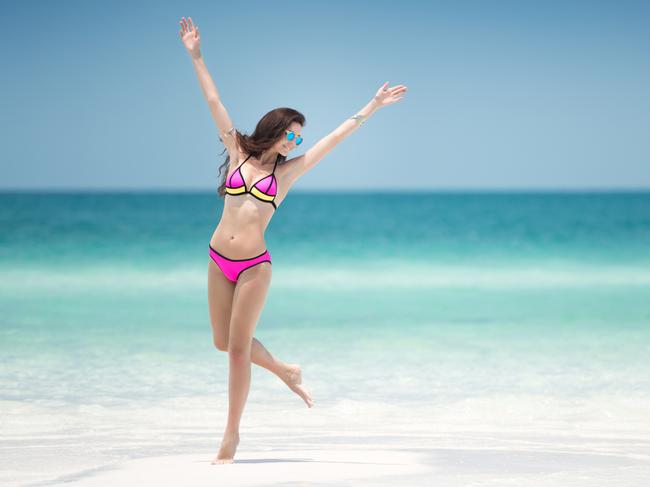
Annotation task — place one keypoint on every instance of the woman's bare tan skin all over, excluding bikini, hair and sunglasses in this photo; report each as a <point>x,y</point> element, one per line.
<point>235,308</point>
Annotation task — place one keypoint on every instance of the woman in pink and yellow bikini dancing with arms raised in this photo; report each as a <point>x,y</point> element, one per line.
<point>257,179</point>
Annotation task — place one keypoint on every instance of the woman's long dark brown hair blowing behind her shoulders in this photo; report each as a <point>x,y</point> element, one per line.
<point>267,132</point>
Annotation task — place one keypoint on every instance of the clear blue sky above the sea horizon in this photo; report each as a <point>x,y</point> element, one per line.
<point>515,95</point>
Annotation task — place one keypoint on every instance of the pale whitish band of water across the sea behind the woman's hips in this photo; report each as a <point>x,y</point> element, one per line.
<point>378,275</point>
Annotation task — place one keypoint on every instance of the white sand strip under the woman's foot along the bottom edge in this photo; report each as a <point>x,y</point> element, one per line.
<point>345,466</point>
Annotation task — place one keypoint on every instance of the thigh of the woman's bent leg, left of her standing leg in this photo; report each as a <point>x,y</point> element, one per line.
<point>220,294</point>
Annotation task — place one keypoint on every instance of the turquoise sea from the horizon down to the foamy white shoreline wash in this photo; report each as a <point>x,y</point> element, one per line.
<point>531,306</point>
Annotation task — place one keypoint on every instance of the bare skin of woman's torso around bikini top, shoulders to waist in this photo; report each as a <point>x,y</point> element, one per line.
<point>240,232</point>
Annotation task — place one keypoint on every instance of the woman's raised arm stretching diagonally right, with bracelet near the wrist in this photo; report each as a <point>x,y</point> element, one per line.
<point>300,165</point>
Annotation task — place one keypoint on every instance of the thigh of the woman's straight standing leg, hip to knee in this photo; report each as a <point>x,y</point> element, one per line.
<point>248,301</point>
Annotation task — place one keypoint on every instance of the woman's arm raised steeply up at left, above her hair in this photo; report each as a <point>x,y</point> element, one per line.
<point>192,40</point>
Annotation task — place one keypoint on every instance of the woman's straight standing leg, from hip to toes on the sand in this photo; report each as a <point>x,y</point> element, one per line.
<point>248,300</point>
